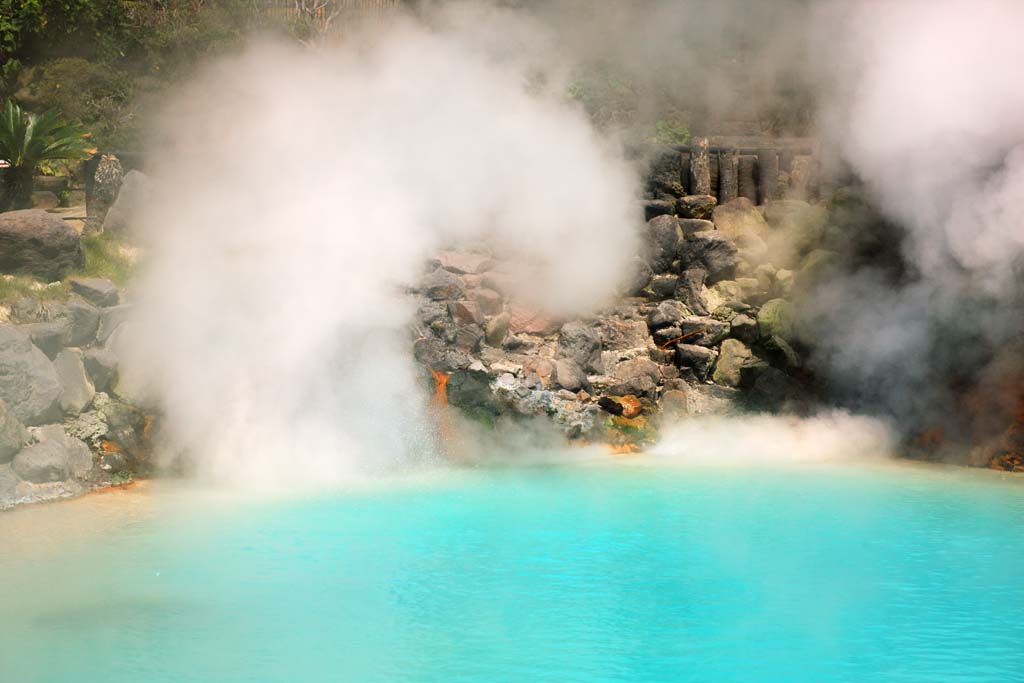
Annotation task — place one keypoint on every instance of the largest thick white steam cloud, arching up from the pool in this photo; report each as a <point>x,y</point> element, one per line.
<point>303,193</point>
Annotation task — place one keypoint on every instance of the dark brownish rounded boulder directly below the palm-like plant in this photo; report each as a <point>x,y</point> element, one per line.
<point>39,244</point>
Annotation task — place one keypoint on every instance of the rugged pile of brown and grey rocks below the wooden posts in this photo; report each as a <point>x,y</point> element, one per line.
<point>705,327</point>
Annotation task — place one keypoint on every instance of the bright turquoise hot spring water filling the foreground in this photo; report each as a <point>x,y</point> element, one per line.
<point>587,574</point>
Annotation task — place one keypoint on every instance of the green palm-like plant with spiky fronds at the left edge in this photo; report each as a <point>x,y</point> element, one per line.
<point>27,140</point>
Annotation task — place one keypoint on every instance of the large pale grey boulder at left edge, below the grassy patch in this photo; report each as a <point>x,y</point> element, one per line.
<point>28,380</point>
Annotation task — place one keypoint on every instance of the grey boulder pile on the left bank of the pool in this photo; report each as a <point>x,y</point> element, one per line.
<point>65,426</point>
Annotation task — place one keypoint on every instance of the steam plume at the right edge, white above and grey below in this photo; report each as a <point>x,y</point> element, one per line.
<point>929,114</point>
